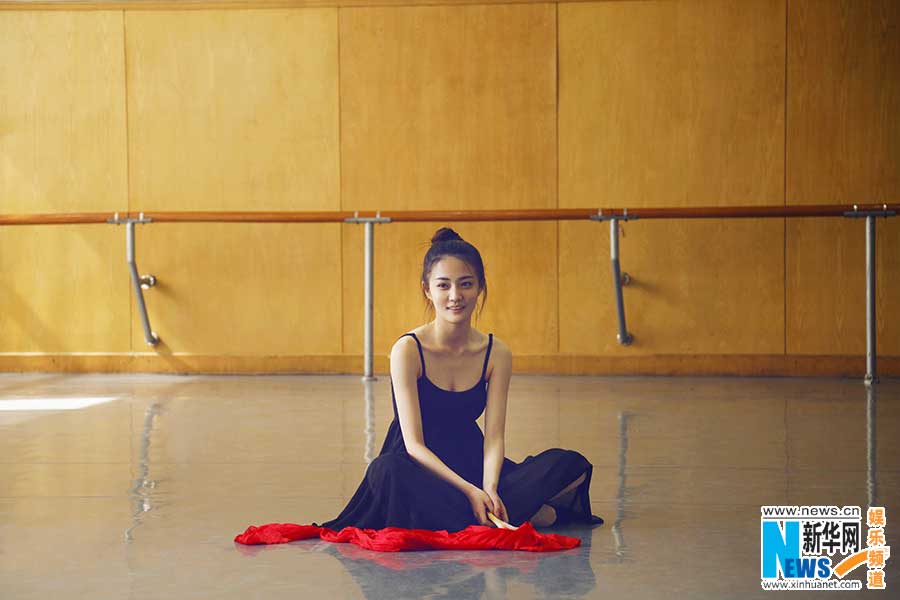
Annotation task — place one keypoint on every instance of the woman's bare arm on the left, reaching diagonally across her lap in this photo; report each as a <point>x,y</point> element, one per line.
<point>404,372</point>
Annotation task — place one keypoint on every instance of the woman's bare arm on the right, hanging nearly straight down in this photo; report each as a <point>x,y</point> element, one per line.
<point>495,415</point>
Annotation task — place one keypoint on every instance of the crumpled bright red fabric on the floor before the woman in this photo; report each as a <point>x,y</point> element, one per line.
<point>397,539</point>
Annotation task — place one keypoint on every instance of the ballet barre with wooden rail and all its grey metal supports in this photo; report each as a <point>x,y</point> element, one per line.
<point>615,216</point>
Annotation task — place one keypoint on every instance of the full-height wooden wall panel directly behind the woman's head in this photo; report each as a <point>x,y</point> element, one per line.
<point>446,108</point>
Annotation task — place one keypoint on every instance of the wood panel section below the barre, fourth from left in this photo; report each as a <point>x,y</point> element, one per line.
<point>697,288</point>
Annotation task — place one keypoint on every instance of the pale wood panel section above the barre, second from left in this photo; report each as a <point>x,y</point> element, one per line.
<point>233,110</point>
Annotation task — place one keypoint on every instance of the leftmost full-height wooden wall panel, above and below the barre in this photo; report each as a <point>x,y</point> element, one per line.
<point>62,149</point>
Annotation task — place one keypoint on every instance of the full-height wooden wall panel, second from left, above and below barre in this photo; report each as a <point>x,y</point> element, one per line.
<point>234,110</point>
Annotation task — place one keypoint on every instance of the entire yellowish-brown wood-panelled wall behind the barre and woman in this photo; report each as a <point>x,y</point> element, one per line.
<point>114,107</point>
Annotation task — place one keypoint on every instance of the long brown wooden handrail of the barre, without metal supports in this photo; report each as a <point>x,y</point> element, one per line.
<point>400,216</point>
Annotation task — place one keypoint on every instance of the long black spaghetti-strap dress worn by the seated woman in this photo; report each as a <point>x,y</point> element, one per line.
<point>397,491</point>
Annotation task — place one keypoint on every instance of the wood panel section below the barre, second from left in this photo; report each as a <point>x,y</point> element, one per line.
<point>236,289</point>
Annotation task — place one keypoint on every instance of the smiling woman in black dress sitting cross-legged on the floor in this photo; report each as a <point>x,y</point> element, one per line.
<point>436,470</point>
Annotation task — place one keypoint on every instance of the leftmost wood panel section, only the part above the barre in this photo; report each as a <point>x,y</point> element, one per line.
<point>62,112</point>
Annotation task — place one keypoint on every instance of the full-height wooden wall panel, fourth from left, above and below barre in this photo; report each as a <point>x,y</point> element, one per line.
<point>673,104</point>
